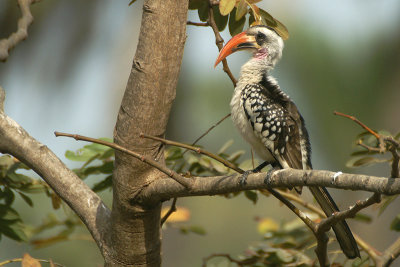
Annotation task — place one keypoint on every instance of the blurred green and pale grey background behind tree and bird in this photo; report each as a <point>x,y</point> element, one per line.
<point>70,74</point>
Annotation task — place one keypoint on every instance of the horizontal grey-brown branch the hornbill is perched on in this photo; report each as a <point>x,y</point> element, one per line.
<point>167,188</point>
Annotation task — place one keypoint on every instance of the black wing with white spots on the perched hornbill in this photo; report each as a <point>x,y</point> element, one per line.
<point>274,125</point>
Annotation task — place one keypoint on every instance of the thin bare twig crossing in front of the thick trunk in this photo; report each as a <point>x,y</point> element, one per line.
<point>180,179</point>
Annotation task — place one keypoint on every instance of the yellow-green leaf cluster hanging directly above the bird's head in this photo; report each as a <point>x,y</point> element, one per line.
<point>237,12</point>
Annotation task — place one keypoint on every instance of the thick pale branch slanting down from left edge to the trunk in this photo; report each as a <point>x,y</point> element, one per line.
<point>83,201</point>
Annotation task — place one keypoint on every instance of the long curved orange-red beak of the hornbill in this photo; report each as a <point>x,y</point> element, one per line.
<point>238,42</point>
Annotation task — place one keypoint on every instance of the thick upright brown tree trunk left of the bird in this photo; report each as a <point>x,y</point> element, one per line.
<point>135,236</point>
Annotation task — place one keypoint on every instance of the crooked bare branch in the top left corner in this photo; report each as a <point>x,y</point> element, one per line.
<point>22,32</point>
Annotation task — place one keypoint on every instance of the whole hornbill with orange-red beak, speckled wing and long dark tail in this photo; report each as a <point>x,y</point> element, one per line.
<point>269,120</point>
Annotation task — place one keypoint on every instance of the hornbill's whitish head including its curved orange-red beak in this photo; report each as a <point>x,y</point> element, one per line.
<point>263,41</point>
